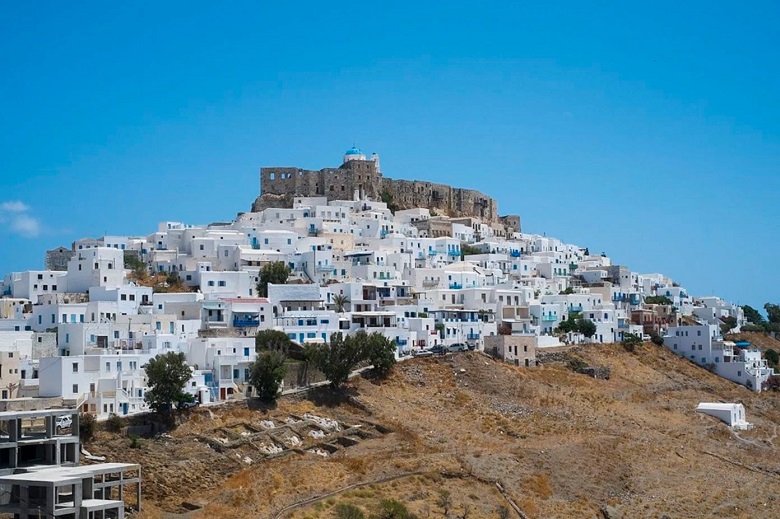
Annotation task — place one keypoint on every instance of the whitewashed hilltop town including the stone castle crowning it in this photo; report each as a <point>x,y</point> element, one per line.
<point>430,266</point>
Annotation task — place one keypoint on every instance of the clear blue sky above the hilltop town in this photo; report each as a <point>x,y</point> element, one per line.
<point>649,132</point>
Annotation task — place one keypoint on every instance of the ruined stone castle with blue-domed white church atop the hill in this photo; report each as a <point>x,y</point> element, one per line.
<point>360,178</point>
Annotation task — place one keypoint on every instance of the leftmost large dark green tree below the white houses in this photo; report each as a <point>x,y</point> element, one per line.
<point>166,377</point>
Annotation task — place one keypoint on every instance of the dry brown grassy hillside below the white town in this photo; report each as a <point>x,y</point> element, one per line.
<point>561,444</point>
